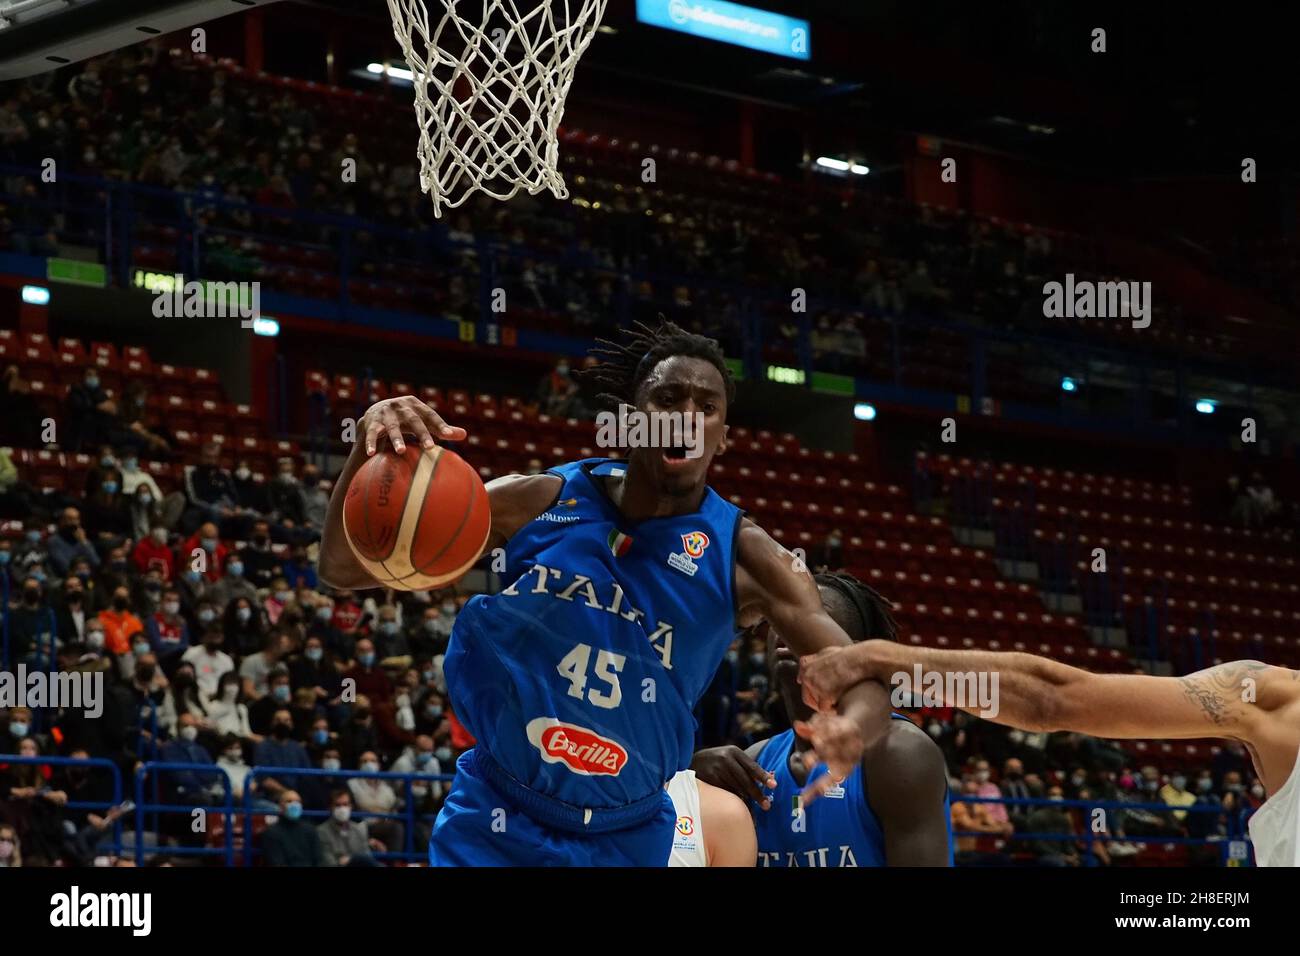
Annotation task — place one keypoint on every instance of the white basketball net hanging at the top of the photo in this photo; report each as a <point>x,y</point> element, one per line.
<point>489,92</point>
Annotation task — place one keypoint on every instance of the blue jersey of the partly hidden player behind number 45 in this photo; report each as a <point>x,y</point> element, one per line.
<point>839,829</point>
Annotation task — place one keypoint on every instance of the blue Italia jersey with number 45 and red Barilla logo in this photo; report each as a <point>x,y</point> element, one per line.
<point>580,677</point>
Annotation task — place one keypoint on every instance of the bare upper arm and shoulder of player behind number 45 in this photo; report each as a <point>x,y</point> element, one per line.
<point>907,780</point>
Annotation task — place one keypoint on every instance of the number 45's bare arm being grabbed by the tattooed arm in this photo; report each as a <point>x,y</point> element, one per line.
<point>773,587</point>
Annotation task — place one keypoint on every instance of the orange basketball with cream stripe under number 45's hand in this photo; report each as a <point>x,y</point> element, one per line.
<point>418,520</point>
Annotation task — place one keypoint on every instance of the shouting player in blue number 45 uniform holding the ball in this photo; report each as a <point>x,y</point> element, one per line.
<point>627,583</point>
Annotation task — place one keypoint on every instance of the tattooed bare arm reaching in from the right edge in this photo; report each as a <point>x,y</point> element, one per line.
<point>1247,700</point>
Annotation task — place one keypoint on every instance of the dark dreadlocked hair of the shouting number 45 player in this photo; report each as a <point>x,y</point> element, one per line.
<point>625,366</point>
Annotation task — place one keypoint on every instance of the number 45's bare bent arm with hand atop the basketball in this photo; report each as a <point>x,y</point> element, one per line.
<point>514,500</point>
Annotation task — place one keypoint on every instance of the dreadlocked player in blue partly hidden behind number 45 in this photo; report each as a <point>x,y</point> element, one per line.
<point>892,811</point>
